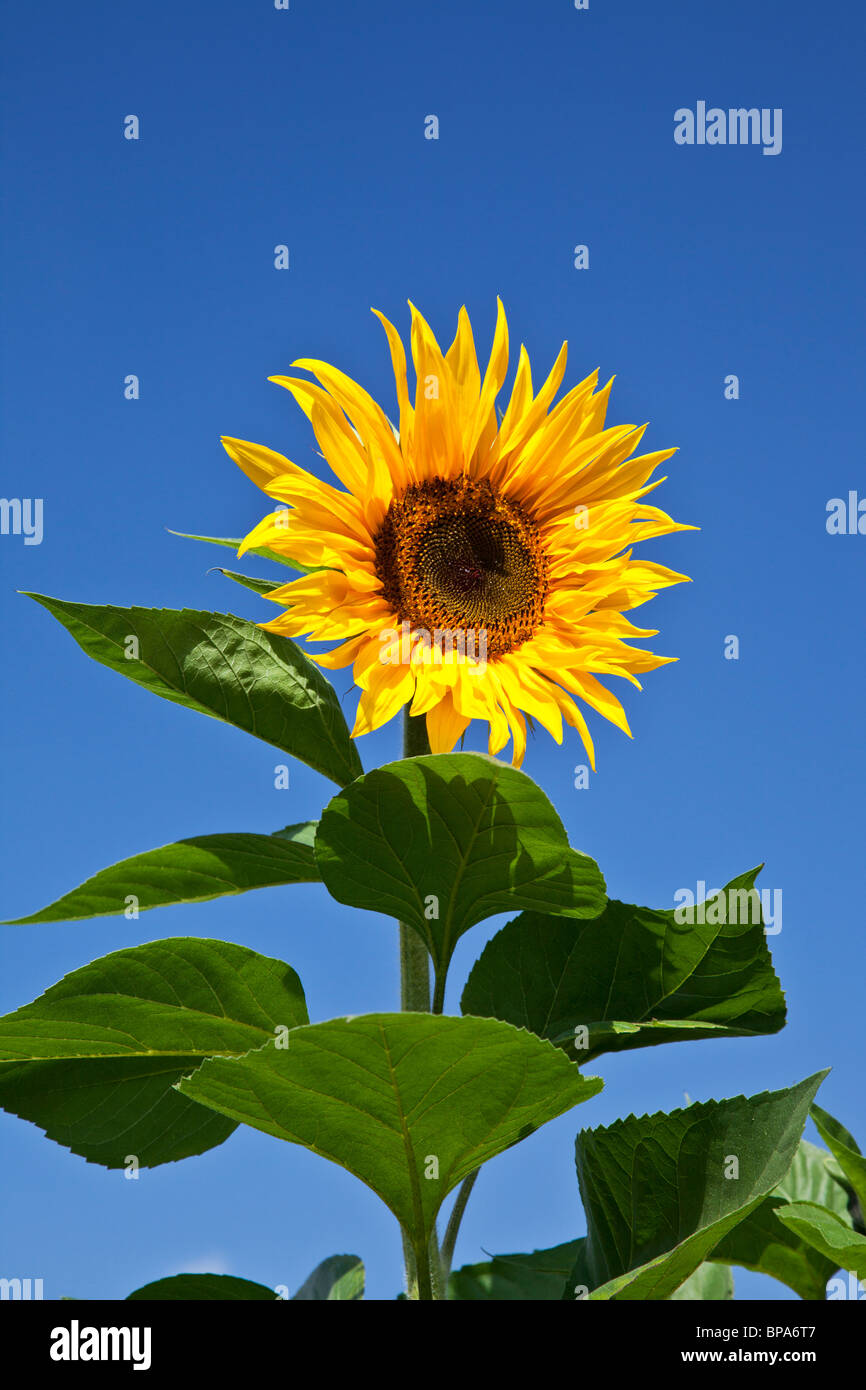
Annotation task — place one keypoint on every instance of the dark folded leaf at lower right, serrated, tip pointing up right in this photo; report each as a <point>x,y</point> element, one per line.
<point>661,1192</point>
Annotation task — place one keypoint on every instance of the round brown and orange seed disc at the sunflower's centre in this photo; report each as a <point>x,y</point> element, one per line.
<point>457,555</point>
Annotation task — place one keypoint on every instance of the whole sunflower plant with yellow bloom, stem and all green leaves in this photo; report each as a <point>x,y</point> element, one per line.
<point>473,562</point>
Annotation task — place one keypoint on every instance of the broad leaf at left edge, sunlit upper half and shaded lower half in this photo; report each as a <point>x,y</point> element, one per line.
<point>94,1061</point>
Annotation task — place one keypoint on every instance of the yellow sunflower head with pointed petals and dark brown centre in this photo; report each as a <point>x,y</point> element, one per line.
<point>471,566</point>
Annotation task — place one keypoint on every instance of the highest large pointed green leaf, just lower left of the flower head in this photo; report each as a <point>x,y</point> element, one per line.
<point>226,668</point>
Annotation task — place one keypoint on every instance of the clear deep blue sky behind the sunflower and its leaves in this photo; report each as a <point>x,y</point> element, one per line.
<point>156,258</point>
